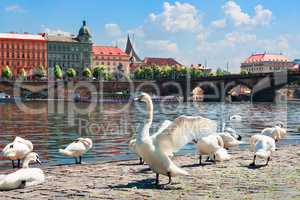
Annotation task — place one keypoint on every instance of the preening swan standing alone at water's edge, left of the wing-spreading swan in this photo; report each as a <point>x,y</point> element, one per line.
<point>77,148</point>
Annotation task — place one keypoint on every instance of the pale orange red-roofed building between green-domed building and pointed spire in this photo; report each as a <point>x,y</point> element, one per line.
<point>112,57</point>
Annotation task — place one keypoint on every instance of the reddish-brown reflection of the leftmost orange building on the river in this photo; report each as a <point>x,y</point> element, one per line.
<point>33,127</point>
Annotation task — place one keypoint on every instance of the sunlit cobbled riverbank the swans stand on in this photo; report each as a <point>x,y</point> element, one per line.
<point>126,180</point>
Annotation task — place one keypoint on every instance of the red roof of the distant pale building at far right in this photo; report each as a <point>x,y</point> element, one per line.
<point>265,57</point>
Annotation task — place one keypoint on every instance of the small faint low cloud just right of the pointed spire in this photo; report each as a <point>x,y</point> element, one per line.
<point>162,46</point>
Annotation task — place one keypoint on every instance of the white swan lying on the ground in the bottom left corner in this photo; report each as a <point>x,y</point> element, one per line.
<point>23,177</point>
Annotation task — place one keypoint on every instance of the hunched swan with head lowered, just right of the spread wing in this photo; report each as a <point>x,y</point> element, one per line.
<point>213,146</point>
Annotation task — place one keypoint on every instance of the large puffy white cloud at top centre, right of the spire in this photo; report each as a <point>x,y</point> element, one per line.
<point>177,17</point>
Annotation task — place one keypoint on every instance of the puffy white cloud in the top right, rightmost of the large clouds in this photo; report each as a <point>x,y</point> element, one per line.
<point>262,16</point>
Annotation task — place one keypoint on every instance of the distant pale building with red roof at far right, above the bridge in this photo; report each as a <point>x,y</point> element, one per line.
<point>266,63</point>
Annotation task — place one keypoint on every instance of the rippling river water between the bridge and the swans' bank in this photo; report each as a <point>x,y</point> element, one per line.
<point>111,125</point>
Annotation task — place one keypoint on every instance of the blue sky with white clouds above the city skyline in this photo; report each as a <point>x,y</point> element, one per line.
<point>211,32</point>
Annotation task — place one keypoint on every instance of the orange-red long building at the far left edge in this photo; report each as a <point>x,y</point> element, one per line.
<point>22,51</point>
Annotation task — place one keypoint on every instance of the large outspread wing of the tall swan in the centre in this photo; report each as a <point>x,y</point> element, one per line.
<point>182,131</point>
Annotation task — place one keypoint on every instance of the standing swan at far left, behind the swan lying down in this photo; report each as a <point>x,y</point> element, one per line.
<point>17,150</point>
